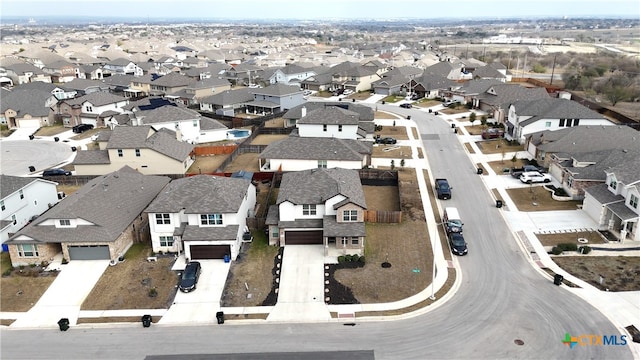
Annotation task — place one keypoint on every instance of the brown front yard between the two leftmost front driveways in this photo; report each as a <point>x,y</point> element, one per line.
<point>129,284</point>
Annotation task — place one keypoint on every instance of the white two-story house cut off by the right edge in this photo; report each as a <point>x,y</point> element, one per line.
<point>614,204</point>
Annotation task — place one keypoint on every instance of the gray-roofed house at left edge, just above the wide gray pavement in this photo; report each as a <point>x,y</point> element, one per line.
<point>28,108</point>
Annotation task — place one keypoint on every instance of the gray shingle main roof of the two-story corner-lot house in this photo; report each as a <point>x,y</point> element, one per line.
<point>316,186</point>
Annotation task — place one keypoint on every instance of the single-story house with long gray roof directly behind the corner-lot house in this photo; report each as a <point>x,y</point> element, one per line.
<point>296,153</point>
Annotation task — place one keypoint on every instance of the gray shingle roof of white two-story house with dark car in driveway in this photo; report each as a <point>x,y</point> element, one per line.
<point>201,194</point>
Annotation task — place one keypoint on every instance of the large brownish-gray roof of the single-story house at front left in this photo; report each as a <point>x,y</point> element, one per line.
<point>110,203</point>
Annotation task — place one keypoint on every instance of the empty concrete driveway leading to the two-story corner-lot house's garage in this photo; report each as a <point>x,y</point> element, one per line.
<point>301,291</point>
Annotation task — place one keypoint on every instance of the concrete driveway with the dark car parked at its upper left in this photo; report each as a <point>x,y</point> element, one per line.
<point>200,305</point>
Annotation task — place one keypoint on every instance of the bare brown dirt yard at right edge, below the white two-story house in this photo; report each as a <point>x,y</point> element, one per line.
<point>618,273</point>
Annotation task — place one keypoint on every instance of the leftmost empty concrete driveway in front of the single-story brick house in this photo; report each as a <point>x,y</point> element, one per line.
<point>65,295</point>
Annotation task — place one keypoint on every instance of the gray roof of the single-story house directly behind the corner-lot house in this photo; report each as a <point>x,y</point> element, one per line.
<point>306,148</point>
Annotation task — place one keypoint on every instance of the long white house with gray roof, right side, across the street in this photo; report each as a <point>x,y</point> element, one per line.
<point>528,116</point>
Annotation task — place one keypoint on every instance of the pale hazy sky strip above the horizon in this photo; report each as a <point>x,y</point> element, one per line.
<point>320,9</point>
